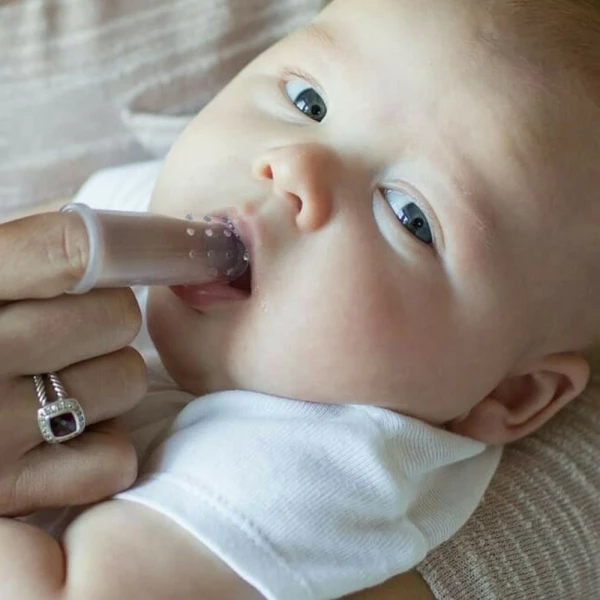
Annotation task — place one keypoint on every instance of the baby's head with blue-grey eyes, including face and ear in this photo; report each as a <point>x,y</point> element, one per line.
<point>418,182</point>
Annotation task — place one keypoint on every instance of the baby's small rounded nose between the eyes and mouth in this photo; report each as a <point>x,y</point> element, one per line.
<point>305,175</point>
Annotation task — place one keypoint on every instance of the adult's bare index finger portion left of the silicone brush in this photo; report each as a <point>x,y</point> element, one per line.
<point>42,256</point>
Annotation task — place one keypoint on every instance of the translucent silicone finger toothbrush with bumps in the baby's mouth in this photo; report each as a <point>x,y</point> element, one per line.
<point>127,248</point>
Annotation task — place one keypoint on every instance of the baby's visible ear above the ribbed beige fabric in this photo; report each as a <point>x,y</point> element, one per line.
<point>525,399</point>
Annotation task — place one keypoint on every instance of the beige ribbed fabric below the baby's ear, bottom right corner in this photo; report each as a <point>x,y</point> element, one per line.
<point>537,534</point>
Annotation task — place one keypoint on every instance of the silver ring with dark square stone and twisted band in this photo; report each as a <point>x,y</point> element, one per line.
<point>60,420</point>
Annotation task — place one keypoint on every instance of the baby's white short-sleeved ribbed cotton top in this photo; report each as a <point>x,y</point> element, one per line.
<point>305,501</point>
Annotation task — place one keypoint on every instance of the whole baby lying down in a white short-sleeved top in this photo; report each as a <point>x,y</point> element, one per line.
<point>417,185</point>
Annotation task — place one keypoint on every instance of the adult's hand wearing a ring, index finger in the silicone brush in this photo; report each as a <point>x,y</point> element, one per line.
<point>85,340</point>
